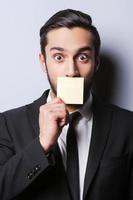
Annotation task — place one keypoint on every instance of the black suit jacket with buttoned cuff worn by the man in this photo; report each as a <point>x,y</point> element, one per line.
<point>27,173</point>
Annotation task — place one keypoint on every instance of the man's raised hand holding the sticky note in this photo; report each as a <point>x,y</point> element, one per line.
<point>52,117</point>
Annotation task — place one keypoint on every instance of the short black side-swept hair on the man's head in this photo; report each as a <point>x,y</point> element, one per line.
<point>69,18</point>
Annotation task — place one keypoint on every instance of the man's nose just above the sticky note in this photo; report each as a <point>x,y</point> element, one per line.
<point>71,69</point>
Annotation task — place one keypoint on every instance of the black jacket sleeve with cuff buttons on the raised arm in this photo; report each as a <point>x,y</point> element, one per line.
<point>18,169</point>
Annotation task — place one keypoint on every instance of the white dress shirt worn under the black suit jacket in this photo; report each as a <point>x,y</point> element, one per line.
<point>83,130</point>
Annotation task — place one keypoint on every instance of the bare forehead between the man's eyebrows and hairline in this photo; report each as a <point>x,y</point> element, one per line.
<point>72,39</point>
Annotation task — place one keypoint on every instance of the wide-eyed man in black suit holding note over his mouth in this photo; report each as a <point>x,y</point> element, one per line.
<point>33,138</point>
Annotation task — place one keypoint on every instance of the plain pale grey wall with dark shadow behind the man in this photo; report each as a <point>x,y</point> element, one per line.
<point>21,78</point>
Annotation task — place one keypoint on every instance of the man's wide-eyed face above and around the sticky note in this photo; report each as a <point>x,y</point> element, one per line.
<point>69,53</point>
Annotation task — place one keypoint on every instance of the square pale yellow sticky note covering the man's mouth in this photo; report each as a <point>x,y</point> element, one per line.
<point>70,90</point>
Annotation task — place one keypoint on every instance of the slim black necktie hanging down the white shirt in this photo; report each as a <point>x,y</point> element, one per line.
<point>72,158</point>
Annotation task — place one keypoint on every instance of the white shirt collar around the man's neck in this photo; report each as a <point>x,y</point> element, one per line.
<point>85,110</point>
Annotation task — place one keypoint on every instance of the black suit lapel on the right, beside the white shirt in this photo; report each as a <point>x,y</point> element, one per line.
<point>100,132</point>
